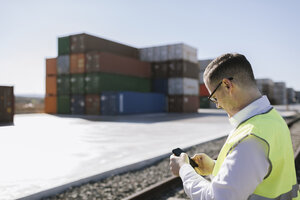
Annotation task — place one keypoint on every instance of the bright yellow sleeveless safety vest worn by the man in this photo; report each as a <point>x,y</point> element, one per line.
<point>280,183</point>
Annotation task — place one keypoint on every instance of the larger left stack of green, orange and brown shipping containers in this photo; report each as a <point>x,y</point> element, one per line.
<point>88,66</point>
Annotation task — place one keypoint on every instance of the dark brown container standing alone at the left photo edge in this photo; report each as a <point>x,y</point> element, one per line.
<point>7,104</point>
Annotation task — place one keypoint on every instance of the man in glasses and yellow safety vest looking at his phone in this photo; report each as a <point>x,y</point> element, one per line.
<point>257,161</point>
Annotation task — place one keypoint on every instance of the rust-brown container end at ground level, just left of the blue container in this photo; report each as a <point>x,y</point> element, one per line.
<point>92,104</point>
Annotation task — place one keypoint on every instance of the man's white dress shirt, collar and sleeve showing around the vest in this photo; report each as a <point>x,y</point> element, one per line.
<point>242,170</point>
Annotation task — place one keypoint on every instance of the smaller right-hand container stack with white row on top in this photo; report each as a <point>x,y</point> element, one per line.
<point>175,73</point>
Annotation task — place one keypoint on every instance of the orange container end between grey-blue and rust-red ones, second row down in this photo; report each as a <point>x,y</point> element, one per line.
<point>77,63</point>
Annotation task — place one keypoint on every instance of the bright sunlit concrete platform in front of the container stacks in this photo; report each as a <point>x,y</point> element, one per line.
<point>43,151</point>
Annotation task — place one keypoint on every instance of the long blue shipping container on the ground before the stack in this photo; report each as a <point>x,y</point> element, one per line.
<point>118,103</point>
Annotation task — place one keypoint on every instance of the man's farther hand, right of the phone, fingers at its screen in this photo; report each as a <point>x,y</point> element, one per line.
<point>205,163</point>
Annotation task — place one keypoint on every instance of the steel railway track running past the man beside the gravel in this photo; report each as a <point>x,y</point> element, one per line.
<point>156,191</point>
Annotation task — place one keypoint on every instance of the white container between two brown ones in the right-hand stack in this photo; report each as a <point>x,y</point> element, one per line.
<point>183,86</point>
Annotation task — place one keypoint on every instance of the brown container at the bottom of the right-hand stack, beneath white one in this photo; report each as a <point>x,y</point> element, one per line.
<point>183,103</point>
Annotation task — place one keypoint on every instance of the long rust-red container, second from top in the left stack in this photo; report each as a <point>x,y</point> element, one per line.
<point>110,63</point>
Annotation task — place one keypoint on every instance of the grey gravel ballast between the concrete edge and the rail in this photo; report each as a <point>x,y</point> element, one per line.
<point>121,186</point>
